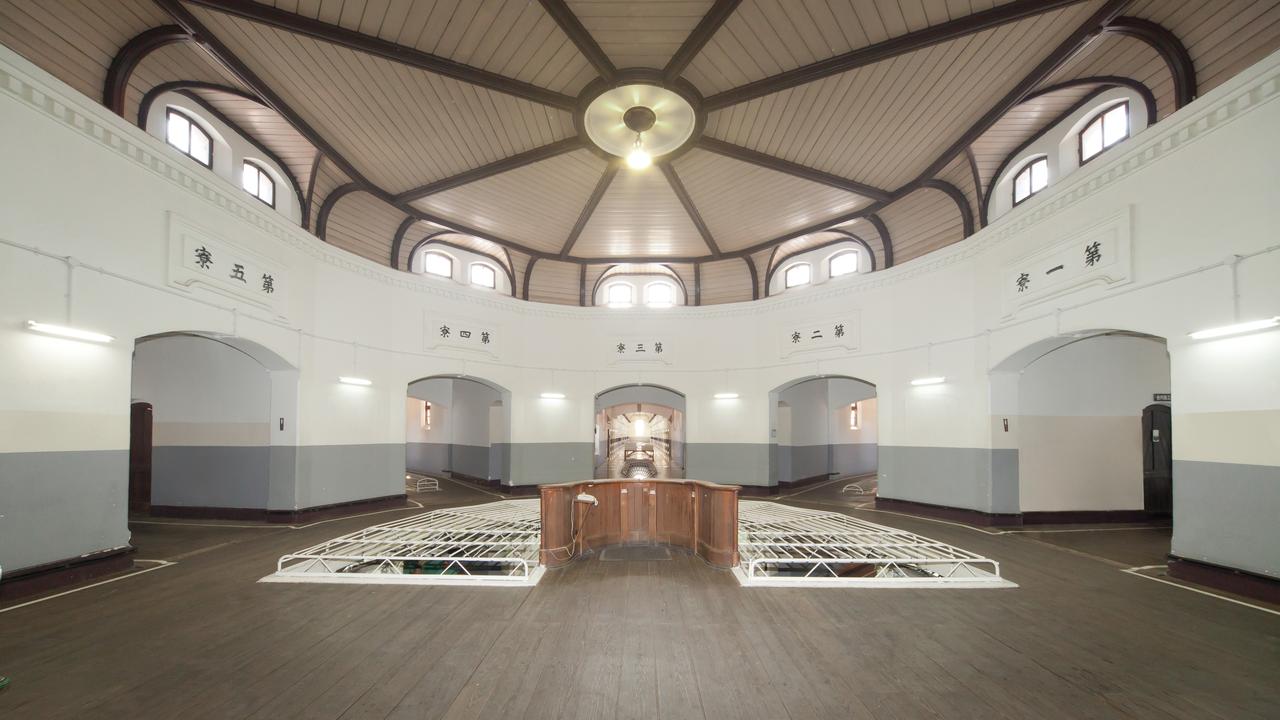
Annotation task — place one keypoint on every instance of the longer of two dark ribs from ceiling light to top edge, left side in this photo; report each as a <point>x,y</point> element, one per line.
<point>354,40</point>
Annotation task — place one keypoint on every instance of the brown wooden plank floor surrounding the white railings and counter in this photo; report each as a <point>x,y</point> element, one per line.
<point>641,639</point>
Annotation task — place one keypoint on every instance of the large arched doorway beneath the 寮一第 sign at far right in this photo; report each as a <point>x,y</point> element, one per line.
<point>1078,413</point>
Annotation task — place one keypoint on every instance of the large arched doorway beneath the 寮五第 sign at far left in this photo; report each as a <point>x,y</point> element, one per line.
<point>214,427</point>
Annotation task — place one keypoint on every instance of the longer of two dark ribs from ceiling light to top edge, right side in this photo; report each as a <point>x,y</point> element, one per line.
<point>903,44</point>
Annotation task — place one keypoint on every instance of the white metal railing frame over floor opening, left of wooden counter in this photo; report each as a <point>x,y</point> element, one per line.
<point>495,544</point>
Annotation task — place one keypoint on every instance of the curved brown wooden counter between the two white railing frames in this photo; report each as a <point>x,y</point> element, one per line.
<point>692,514</point>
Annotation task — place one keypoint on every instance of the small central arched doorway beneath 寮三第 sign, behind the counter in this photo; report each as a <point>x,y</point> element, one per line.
<point>639,432</point>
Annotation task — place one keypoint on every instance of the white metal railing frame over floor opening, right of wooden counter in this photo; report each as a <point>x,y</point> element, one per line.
<point>787,546</point>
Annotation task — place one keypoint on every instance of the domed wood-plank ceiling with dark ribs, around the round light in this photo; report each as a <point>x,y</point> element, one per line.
<point>881,122</point>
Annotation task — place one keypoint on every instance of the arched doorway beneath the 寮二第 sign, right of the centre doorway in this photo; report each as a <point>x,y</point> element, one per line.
<point>824,429</point>
